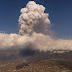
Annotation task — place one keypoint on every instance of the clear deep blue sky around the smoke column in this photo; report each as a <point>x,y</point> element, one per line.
<point>60,15</point>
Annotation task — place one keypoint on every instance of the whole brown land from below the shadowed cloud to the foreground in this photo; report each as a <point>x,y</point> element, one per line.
<point>38,62</point>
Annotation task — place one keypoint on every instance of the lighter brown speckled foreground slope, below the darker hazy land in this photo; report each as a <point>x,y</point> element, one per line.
<point>38,66</point>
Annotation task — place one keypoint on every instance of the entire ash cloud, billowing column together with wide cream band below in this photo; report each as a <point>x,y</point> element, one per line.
<point>33,28</point>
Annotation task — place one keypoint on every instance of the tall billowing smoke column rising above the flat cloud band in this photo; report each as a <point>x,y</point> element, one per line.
<point>33,19</point>
